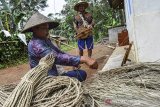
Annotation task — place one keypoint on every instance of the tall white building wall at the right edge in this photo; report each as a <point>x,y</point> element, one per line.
<point>143,24</point>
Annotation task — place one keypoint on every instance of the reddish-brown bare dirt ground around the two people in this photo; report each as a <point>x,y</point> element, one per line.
<point>14,74</point>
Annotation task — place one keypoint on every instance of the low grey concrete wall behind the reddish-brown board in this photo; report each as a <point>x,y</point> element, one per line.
<point>113,33</point>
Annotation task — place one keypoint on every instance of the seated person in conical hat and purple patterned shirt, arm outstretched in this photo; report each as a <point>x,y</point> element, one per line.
<point>40,45</point>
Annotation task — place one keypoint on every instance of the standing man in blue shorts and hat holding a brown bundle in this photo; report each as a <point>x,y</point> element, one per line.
<point>83,24</point>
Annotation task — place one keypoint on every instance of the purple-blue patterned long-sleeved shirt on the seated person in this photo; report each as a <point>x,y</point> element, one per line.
<point>38,48</point>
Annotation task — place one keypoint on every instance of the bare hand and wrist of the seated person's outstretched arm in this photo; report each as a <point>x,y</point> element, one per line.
<point>92,63</point>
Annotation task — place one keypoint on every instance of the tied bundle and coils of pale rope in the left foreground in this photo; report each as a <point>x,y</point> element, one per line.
<point>36,89</point>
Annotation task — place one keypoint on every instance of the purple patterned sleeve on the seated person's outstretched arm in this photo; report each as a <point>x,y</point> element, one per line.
<point>62,58</point>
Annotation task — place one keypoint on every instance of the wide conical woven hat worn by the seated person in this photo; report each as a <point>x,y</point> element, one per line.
<point>38,19</point>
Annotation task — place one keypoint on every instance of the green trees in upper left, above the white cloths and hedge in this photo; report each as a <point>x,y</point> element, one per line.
<point>16,12</point>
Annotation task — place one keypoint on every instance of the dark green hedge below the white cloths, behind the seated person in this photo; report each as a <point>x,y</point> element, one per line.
<point>12,51</point>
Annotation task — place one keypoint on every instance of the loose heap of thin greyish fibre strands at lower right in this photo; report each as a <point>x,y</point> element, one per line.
<point>130,86</point>
